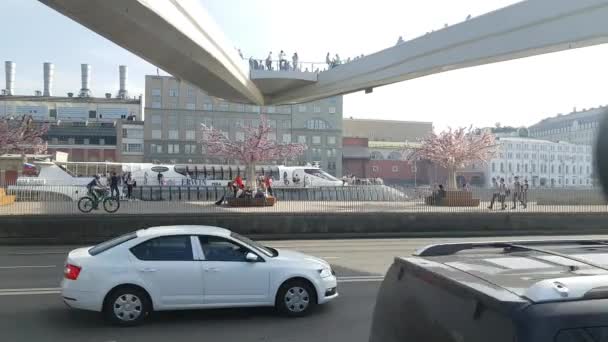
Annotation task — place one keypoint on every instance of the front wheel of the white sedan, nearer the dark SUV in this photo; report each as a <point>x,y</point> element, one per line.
<point>296,298</point>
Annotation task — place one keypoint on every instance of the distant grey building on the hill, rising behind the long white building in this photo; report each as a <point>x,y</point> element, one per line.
<point>578,127</point>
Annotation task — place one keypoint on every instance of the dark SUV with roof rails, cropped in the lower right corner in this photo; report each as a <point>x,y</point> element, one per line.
<point>515,291</point>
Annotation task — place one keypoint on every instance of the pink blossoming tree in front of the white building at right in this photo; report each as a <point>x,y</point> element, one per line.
<point>454,149</point>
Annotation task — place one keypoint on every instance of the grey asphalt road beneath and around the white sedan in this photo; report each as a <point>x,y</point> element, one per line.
<point>31,309</point>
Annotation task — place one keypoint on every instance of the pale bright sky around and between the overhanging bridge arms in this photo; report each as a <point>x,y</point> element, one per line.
<point>516,93</point>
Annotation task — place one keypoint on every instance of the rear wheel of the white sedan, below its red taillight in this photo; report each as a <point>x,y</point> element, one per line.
<point>127,306</point>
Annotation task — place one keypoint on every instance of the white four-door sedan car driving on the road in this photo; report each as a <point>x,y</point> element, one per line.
<point>191,267</point>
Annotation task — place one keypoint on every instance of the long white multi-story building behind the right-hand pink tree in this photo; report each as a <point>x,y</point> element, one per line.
<point>543,163</point>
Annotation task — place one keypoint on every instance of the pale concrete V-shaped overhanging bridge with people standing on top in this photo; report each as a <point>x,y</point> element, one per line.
<point>182,39</point>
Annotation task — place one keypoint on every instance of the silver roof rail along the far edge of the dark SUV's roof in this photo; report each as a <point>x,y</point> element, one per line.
<point>453,248</point>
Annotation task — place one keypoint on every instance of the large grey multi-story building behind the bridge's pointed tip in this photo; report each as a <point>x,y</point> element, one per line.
<point>175,111</point>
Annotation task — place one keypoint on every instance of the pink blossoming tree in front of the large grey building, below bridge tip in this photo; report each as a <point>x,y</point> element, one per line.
<point>255,147</point>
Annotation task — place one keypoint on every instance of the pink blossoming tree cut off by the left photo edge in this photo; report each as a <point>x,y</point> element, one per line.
<point>20,135</point>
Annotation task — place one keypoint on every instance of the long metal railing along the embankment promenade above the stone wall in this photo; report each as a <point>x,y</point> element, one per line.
<point>154,199</point>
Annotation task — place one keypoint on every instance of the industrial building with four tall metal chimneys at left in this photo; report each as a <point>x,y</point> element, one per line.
<point>84,126</point>
